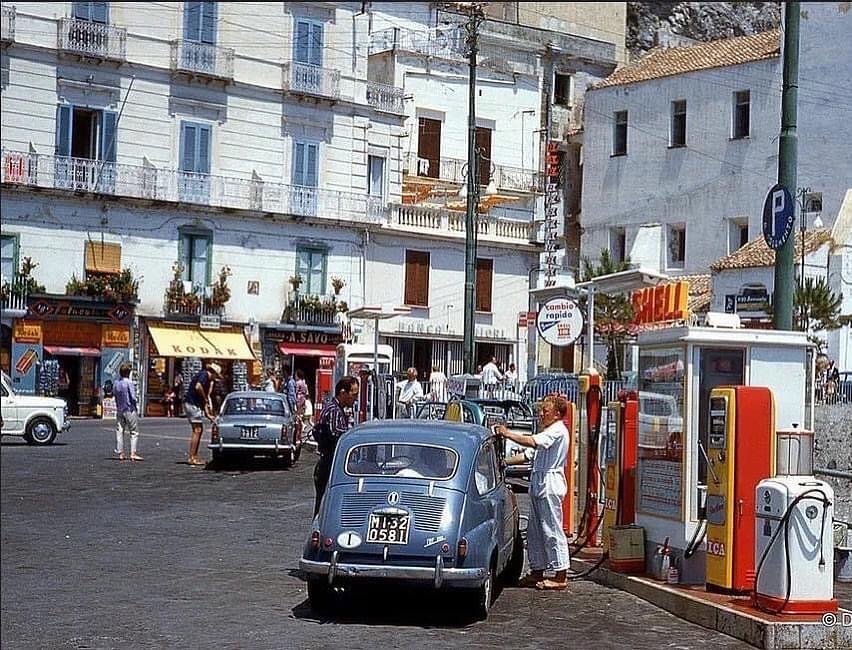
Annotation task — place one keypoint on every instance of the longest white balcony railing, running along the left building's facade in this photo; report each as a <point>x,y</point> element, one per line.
<point>148,182</point>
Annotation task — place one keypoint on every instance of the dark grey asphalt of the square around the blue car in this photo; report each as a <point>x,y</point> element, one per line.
<point>98,553</point>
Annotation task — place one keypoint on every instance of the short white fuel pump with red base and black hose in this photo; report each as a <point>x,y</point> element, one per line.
<point>793,533</point>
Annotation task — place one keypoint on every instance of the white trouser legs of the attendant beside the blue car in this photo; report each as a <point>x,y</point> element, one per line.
<point>547,546</point>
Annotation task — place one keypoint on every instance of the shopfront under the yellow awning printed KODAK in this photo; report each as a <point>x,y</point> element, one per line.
<point>173,353</point>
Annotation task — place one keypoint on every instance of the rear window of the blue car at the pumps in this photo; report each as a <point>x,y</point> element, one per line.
<point>402,459</point>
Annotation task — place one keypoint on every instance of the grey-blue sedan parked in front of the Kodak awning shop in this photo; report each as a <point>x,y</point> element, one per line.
<point>255,423</point>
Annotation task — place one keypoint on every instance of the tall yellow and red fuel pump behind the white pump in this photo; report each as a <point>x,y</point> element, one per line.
<point>739,454</point>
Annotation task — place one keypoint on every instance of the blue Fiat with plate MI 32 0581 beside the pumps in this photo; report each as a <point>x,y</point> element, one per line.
<point>416,502</point>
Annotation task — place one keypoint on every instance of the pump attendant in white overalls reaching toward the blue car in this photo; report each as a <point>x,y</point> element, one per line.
<point>547,546</point>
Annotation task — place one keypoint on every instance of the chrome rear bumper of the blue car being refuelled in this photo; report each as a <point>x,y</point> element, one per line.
<point>438,576</point>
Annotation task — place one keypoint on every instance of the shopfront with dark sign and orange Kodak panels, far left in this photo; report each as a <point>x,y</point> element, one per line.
<point>71,347</point>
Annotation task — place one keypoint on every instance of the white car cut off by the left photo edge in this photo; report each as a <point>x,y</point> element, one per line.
<point>37,419</point>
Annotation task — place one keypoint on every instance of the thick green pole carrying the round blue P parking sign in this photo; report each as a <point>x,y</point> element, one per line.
<point>787,162</point>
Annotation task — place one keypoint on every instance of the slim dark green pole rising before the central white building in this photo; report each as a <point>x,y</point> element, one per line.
<point>475,18</point>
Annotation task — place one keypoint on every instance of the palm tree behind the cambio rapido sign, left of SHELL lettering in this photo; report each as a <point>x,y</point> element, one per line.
<point>613,313</point>
